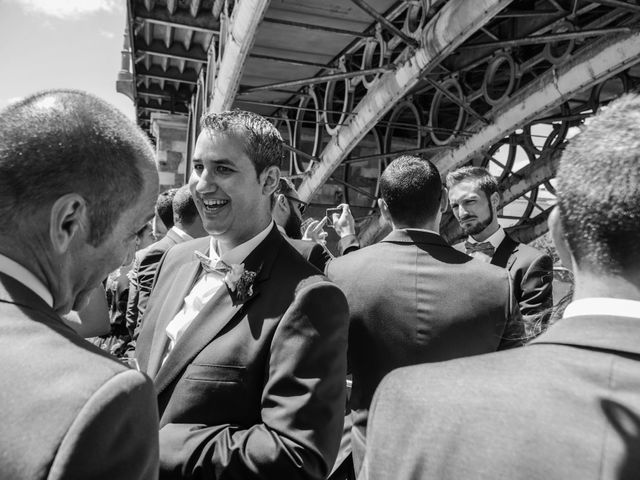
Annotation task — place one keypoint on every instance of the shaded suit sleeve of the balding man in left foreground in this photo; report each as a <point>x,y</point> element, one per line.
<point>115,435</point>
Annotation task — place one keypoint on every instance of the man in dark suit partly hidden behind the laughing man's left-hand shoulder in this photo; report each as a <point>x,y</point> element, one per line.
<point>187,225</point>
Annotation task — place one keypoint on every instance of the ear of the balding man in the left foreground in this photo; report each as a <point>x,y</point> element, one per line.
<point>68,219</point>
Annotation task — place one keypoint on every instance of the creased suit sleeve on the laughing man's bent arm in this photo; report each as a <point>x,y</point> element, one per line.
<point>302,406</point>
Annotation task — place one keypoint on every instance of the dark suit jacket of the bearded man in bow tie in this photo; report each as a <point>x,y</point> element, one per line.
<point>531,272</point>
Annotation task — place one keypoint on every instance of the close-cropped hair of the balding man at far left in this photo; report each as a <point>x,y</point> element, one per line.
<point>61,141</point>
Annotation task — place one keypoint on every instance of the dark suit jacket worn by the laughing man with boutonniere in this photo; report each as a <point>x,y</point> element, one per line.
<point>253,390</point>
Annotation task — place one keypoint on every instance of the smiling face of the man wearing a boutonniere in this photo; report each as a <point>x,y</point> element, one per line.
<point>226,189</point>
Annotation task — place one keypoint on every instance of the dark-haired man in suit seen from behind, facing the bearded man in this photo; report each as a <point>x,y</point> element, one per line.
<point>412,297</point>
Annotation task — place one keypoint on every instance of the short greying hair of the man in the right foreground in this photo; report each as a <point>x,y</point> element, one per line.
<point>599,190</point>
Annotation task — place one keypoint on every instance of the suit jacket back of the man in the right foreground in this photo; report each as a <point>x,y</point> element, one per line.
<point>566,406</point>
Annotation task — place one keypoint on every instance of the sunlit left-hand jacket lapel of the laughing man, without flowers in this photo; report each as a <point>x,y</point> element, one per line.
<point>180,287</point>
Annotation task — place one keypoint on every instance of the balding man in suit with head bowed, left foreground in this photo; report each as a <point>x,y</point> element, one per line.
<point>77,184</point>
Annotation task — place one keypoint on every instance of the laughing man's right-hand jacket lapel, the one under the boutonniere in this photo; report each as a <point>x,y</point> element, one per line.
<point>217,313</point>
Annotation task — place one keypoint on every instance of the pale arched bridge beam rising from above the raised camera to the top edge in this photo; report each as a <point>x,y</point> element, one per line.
<point>448,29</point>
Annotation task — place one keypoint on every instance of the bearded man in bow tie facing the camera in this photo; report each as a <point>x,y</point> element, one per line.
<point>474,198</point>
